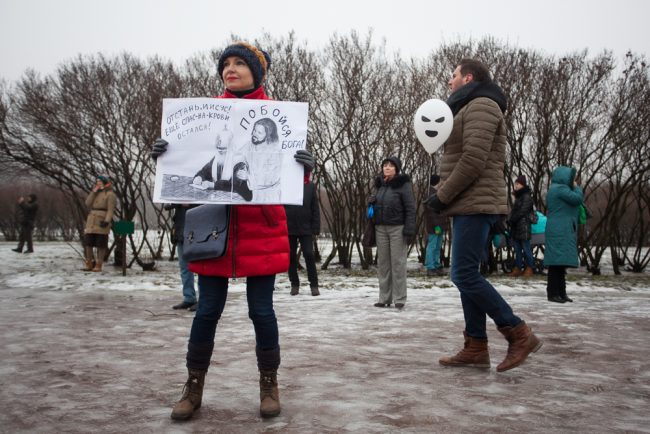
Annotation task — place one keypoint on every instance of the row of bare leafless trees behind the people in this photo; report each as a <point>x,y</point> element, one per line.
<point>99,114</point>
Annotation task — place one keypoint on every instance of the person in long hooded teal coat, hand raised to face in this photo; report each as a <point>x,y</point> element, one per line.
<point>563,202</point>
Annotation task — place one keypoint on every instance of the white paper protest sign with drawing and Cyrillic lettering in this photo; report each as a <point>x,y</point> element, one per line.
<point>231,151</point>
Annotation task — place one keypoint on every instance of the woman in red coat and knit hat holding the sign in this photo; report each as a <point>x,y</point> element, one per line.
<point>258,249</point>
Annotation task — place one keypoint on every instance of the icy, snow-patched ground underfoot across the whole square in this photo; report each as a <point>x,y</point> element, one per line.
<point>101,352</point>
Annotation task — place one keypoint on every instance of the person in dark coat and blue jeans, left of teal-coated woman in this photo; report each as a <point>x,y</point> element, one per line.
<point>519,222</point>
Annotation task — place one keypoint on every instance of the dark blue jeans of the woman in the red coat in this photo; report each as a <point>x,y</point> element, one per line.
<point>259,294</point>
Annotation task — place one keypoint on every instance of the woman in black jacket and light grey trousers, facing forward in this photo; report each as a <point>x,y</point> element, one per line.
<point>394,216</point>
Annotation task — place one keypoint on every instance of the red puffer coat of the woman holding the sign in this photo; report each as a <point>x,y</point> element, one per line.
<point>258,242</point>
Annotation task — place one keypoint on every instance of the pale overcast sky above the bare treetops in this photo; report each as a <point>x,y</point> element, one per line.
<point>40,34</point>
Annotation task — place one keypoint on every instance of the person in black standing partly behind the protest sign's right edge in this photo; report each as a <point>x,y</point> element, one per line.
<point>303,223</point>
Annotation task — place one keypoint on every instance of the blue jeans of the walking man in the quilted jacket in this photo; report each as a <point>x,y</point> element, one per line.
<point>479,298</point>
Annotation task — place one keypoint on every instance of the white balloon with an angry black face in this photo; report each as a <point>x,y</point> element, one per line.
<point>433,124</point>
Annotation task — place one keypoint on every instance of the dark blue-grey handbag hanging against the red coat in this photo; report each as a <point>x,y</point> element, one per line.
<point>205,235</point>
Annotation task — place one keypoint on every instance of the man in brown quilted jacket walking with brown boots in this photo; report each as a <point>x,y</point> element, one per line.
<point>473,193</point>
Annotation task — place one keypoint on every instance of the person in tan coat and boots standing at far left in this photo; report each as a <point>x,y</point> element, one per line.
<point>101,202</point>
